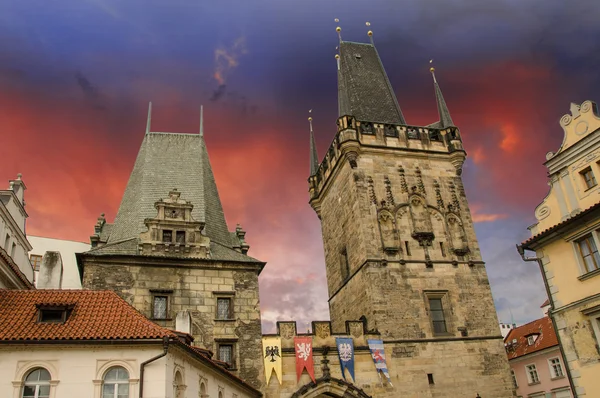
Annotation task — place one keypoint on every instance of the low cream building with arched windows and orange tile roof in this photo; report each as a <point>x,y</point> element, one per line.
<point>93,344</point>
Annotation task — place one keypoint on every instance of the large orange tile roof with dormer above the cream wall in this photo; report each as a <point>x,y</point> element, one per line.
<point>96,315</point>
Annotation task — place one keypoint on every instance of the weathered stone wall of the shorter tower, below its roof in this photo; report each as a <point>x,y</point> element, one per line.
<point>193,287</point>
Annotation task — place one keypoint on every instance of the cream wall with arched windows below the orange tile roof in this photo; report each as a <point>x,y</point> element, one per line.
<point>74,368</point>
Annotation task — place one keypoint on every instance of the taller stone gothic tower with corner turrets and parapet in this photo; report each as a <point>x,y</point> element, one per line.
<point>400,247</point>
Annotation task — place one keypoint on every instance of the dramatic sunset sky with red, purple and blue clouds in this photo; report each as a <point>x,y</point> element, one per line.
<point>76,77</point>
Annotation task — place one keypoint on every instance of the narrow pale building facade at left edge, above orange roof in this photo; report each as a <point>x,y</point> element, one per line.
<point>16,271</point>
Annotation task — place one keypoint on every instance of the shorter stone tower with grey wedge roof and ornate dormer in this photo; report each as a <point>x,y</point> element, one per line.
<point>170,253</point>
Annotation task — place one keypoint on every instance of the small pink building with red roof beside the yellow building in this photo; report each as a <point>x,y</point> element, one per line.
<point>536,362</point>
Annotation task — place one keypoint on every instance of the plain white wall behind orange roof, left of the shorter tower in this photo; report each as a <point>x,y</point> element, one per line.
<point>67,249</point>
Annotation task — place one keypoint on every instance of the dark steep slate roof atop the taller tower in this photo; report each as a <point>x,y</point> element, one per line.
<point>364,90</point>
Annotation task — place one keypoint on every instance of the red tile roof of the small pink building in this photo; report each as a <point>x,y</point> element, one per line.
<point>546,339</point>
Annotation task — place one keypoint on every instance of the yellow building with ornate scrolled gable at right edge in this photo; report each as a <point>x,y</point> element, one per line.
<point>565,239</point>
